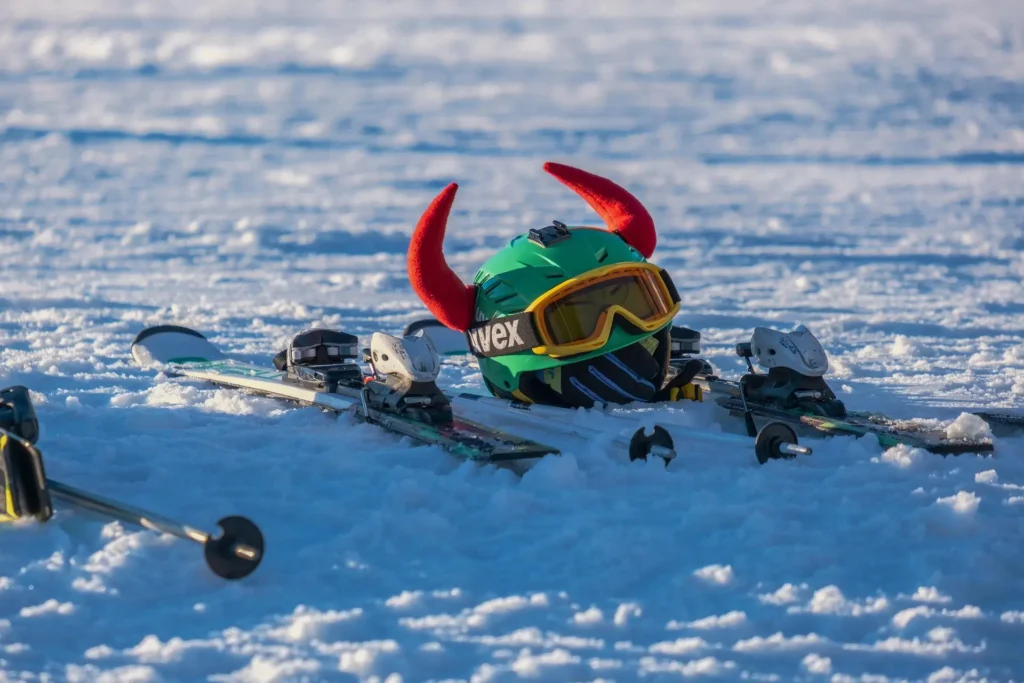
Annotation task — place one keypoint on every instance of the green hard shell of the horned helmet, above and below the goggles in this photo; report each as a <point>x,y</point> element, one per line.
<point>524,271</point>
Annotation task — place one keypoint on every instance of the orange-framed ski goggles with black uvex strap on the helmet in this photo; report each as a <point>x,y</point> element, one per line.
<point>578,317</point>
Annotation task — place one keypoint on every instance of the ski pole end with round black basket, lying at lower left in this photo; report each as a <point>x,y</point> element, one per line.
<point>236,553</point>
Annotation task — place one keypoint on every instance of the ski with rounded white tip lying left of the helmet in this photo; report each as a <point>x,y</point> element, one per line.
<point>418,411</point>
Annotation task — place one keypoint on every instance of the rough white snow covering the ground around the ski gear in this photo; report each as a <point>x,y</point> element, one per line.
<point>252,168</point>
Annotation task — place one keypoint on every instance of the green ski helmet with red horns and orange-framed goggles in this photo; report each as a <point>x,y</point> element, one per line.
<point>564,316</point>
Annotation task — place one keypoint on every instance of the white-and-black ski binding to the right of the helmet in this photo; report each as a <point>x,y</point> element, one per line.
<point>796,363</point>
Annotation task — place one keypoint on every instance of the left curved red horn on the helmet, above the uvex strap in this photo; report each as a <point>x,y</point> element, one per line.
<point>451,301</point>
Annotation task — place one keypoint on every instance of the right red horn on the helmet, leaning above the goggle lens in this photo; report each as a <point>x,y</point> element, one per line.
<point>622,212</point>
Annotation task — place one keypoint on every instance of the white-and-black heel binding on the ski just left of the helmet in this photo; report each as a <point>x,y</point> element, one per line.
<point>405,371</point>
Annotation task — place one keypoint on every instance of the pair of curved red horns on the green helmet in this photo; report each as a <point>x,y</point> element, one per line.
<point>452,302</point>
